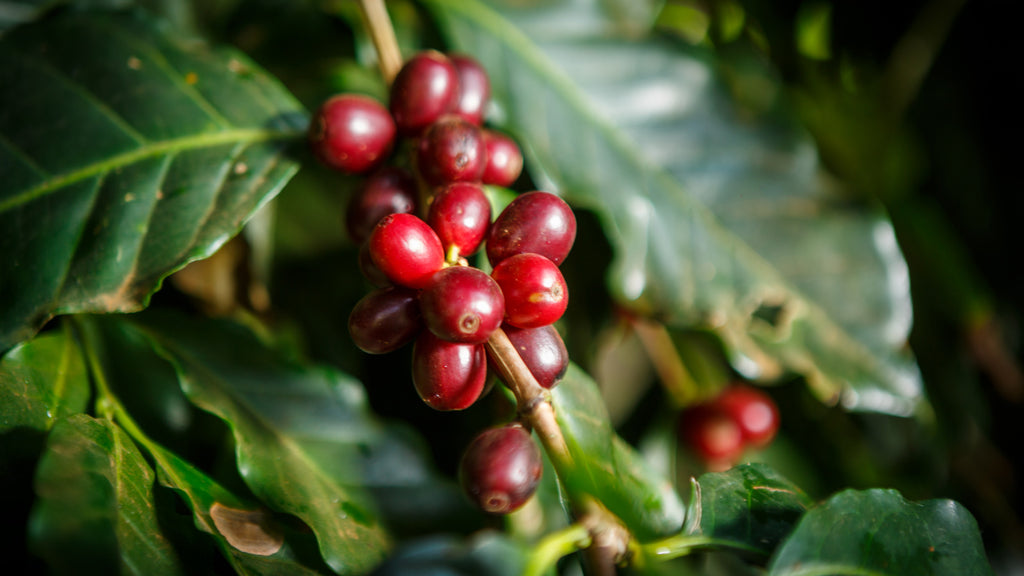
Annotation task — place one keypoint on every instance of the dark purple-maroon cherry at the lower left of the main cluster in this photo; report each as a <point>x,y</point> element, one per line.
<point>386,320</point>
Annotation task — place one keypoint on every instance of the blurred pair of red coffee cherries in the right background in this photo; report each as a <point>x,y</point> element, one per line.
<point>721,430</point>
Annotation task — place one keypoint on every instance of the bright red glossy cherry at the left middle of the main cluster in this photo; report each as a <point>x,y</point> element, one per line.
<point>407,251</point>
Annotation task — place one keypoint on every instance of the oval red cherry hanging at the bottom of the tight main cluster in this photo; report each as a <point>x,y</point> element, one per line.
<point>448,376</point>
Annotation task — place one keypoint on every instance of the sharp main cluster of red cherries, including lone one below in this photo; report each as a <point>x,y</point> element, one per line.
<point>425,292</point>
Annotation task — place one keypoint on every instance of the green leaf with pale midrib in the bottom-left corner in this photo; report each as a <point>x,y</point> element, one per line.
<point>96,510</point>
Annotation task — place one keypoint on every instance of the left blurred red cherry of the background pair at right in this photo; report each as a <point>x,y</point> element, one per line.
<point>713,435</point>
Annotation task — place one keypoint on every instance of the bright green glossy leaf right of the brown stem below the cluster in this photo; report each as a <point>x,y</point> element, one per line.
<point>609,469</point>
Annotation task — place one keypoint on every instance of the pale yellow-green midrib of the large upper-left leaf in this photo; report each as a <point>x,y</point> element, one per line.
<point>145,152</point>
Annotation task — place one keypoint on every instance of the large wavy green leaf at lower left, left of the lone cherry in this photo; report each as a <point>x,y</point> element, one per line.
<point>307,443</point>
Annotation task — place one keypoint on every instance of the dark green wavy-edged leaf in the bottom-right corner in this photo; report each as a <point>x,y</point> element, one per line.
<point>878,532</point>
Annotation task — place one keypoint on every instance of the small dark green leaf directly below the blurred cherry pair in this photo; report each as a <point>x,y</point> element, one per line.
<point>750,507</point>
